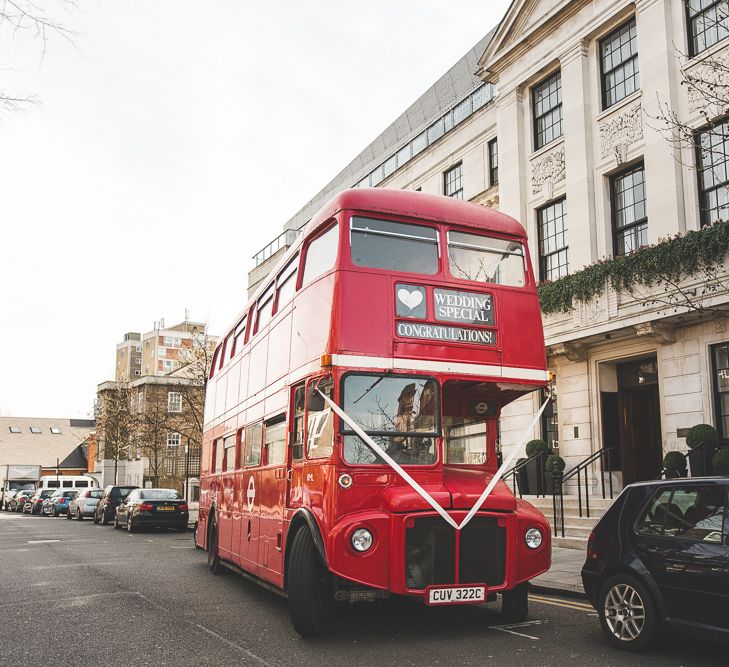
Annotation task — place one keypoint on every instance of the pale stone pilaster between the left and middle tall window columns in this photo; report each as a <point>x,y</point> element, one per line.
<point>577,115</point>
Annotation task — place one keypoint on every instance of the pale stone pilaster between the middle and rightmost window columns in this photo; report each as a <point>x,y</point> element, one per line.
<point>663,175</point>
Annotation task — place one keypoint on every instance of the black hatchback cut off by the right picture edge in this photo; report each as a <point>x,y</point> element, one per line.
<point>659,559</point>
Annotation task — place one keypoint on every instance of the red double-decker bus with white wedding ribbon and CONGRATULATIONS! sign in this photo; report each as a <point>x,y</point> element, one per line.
<point>351,412</point>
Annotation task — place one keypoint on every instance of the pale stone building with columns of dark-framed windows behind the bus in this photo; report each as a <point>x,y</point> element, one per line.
<point>558,117</point>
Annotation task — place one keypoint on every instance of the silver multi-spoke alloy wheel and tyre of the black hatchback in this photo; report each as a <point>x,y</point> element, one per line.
<point>628,615</point>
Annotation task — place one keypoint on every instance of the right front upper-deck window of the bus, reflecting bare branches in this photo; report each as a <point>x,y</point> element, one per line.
<point>486,260</point>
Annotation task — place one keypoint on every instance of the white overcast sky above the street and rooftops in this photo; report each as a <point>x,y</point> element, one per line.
<point>172,141</point>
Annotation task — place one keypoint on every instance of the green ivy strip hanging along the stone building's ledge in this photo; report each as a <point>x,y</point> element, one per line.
<point>664,264</point>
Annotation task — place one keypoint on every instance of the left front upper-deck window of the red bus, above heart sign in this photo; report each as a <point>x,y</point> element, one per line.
<point>380,244</point>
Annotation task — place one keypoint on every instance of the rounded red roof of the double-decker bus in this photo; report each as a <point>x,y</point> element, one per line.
<point>408,203</point>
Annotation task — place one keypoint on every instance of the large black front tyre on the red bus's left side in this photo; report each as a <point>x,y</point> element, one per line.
<point>310,602</point>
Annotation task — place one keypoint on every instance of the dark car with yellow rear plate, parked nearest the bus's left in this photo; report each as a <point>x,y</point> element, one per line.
<point>159,508</point>
